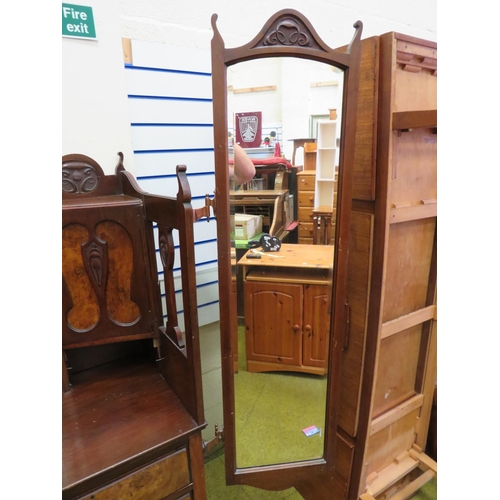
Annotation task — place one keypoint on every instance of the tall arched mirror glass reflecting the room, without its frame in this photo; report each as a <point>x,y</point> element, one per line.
<point>285,112</point>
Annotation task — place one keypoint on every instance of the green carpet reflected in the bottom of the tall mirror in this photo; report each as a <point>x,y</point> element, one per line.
<point>272,409</point>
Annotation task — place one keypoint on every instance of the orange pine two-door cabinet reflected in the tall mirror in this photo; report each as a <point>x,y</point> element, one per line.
<point>287,308</point>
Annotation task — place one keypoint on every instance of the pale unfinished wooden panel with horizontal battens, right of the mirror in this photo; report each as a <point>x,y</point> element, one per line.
<point>403,292</point>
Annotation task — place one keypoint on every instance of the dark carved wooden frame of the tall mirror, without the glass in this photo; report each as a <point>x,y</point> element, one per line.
<point>270,43</point>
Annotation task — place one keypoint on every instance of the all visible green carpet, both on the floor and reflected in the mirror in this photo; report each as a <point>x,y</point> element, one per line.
<point>269,432</point>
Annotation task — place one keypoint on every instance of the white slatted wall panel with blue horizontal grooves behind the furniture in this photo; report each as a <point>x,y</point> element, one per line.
<point>170,104</point>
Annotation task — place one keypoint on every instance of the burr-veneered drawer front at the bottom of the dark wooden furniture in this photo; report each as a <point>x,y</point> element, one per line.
<point>153,482</point>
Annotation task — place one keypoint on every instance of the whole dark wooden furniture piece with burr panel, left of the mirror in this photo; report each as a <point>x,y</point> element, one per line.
<point>132,407</point>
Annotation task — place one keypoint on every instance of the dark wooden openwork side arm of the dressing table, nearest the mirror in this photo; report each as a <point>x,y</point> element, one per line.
<point>176,353</point>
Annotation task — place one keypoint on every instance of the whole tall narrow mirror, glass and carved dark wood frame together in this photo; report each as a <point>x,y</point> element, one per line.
<point>282,313</point>
